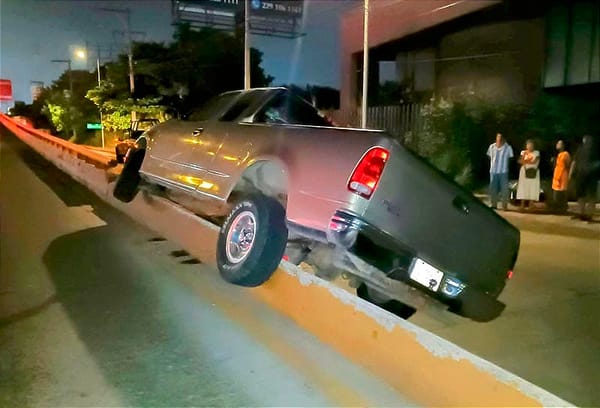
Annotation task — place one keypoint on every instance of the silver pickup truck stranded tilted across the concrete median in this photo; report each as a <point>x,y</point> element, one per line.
<point>349,202</point>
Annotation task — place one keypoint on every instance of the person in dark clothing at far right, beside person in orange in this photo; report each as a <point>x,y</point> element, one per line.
<point>585,171</point>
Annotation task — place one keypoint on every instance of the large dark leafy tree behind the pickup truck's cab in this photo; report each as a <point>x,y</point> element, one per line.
<point>195,66</point>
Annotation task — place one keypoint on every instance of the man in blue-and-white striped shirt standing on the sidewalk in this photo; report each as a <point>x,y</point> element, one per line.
<point>499,153</point>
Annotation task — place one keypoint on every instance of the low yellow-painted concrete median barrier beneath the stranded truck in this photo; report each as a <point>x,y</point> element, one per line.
<point>426,368</point>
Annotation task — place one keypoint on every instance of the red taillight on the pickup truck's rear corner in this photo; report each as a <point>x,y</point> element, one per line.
<point>367,173</point>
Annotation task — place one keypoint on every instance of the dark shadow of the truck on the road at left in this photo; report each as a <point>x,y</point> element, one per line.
<point>129,323</point>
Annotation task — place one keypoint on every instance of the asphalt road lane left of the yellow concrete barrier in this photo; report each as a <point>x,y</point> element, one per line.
<point>96,310</point>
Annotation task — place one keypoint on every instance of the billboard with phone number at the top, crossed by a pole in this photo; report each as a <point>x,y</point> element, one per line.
<point>279,18</point>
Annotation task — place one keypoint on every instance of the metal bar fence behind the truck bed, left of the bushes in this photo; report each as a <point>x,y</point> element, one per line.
<point>398,120</point>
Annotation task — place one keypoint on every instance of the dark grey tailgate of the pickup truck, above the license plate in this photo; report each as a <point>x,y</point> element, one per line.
<point>441,222</point>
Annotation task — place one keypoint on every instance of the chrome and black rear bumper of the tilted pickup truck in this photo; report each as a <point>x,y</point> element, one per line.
<point>349,234</point>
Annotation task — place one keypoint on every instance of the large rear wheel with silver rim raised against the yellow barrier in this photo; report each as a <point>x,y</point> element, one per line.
<point>251,262</point>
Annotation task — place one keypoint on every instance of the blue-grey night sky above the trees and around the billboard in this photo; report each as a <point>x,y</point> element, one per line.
<point>33,32</point>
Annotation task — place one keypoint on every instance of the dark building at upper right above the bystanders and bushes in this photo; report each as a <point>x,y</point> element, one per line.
<point>507,51</point>
